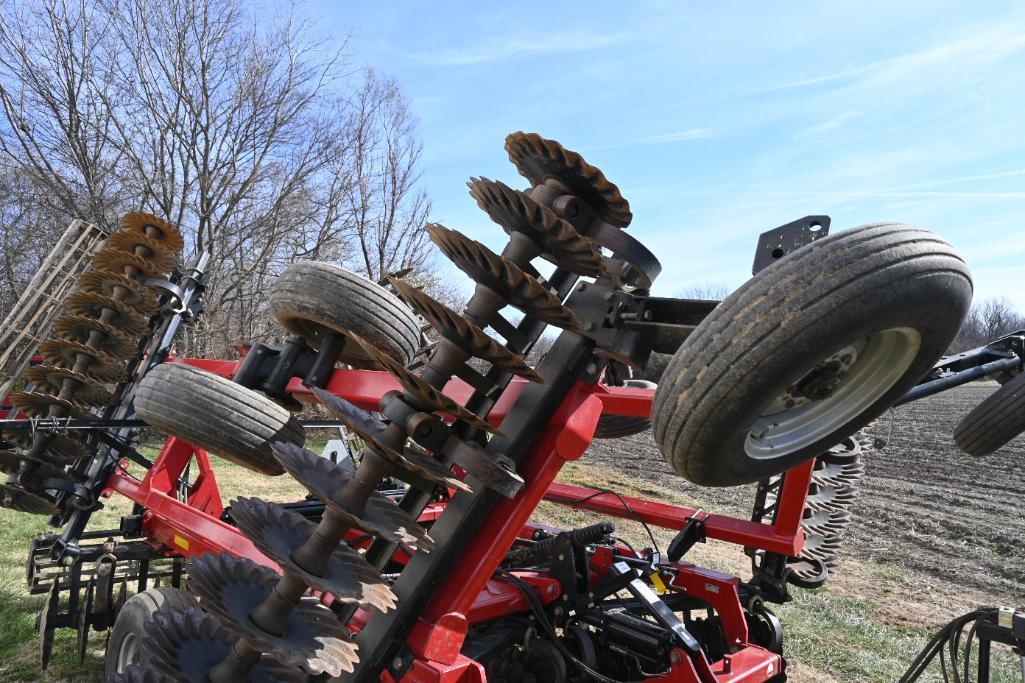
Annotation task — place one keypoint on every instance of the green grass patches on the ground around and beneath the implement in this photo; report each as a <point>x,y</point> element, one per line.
<point>854,630</point>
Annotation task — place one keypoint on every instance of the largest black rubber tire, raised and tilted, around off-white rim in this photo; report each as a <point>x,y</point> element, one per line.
<point>783,324</point>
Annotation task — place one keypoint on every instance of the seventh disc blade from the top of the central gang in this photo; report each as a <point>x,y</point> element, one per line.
<point>382,517</point>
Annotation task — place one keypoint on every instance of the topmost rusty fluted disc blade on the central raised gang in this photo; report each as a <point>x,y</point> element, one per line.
<point>547,163</point>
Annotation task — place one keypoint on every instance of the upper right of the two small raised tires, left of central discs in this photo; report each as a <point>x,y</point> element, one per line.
<point>313,300</point>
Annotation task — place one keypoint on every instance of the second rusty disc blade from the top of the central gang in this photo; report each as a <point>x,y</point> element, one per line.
<point>517,213</point>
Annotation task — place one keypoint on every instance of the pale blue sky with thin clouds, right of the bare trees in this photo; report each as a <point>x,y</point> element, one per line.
<point>722,120</point>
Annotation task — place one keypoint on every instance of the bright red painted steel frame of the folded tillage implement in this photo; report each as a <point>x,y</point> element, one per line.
<point>470,594</point>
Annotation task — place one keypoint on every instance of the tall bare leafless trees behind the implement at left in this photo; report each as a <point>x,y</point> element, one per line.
<point>265,143</point>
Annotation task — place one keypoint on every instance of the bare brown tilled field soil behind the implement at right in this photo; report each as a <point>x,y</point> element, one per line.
<point>956,520</point>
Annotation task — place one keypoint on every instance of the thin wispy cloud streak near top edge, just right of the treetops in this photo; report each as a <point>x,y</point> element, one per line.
<point>519,48</point>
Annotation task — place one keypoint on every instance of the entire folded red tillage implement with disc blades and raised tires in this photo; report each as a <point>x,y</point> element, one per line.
<point>446,578</point>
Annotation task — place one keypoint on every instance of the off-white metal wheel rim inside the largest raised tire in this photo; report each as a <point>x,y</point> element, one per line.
<point>791,423</point>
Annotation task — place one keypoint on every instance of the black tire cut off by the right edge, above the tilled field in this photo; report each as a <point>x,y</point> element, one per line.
<point>996,422</point>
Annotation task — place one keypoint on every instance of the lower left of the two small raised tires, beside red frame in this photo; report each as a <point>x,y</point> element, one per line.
<point>217,415</point>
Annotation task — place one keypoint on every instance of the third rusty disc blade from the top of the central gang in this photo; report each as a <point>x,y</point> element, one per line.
<point>502,276</point>
